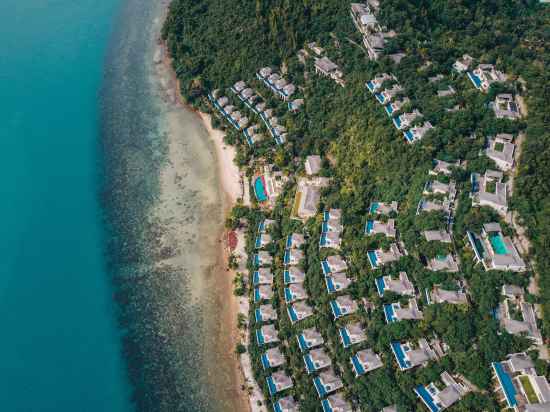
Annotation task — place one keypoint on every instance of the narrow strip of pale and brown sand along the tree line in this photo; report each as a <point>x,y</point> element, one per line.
<point>231,188</point>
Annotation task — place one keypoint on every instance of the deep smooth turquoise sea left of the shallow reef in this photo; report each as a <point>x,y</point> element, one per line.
<point>60,347</point>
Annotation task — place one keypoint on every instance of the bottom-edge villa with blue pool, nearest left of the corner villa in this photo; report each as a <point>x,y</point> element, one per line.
<point>440,396</point>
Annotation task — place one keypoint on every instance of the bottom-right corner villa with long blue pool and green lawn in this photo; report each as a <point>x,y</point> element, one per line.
<point>518,386</point>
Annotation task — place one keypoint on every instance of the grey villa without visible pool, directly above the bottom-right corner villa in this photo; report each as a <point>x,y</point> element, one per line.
<point>516,315</point>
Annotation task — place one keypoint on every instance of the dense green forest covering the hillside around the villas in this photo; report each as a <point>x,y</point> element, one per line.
<point>216,43</point>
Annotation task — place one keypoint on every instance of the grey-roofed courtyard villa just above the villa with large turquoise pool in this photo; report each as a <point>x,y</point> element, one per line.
<point>489,190</point>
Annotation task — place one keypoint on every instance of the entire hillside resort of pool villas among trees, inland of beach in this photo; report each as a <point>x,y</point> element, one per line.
<point>385,262</point>
